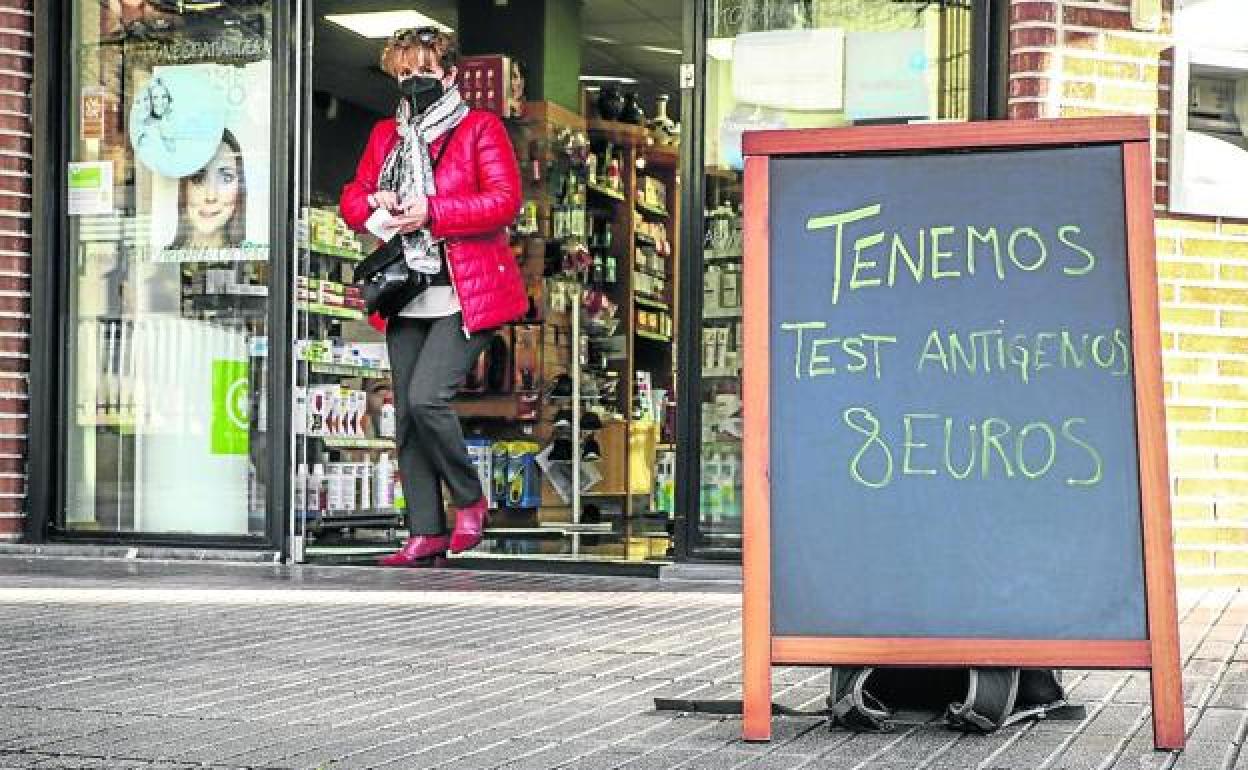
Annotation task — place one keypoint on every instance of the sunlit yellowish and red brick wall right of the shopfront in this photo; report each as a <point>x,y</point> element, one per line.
<point>1076,58</point>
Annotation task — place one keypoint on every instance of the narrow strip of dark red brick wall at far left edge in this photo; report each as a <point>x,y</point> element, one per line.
<point>17,68</point>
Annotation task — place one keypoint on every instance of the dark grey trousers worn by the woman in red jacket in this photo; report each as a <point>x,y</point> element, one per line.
<point>430,359</point>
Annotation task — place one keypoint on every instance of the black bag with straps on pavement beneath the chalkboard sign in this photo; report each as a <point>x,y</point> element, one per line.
<point>972,699</point>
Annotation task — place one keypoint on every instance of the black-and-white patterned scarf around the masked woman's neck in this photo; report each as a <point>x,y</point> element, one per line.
<point>409,169</point>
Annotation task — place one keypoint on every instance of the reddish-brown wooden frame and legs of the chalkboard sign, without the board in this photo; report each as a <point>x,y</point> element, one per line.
<point>1160,652</point>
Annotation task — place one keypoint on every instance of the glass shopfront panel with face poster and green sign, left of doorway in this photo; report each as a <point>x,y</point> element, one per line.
<point>168,227</point>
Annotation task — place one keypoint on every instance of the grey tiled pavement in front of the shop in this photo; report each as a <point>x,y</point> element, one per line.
<point>118,666</point>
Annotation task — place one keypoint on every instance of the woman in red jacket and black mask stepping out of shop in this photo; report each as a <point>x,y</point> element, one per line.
<point>454,222</point>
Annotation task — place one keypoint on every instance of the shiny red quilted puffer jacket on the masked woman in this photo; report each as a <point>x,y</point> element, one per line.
<point>479,197</point>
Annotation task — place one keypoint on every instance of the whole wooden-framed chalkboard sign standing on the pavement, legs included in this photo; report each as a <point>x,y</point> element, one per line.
<point>954,419</point>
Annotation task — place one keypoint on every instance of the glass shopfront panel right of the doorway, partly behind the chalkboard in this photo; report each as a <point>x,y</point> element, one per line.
<point>793,66</point>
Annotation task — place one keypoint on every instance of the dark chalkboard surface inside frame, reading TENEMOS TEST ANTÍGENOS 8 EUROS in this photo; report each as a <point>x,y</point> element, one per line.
<point>954,434</point>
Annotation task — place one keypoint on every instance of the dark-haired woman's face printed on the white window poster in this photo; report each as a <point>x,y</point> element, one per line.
<point>213,203</point>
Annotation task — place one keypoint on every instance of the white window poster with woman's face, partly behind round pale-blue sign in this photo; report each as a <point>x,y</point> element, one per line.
<point>223,203</point>
